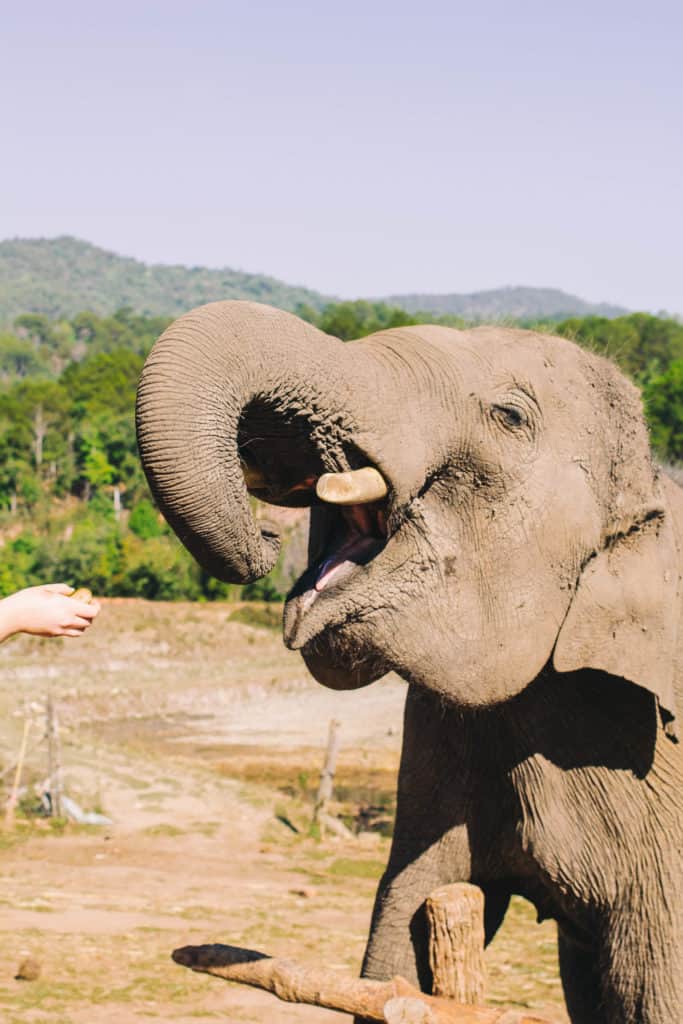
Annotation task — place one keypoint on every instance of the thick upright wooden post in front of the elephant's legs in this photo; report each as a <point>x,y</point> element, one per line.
<point>456,943</point>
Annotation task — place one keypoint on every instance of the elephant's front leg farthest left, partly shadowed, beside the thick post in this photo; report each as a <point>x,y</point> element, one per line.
<point>431,846</point>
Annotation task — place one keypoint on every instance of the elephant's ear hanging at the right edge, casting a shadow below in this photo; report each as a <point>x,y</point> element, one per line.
<point>624,616</point>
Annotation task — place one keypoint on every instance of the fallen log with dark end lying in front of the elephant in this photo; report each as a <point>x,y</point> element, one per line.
<point>390,1002</point>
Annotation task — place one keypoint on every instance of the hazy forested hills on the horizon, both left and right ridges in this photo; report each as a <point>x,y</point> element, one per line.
<point>63,277</point>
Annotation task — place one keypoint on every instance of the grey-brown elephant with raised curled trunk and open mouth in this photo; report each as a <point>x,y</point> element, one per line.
<point>488,522</point>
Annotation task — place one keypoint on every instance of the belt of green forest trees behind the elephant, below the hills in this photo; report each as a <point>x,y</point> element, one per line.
<point>74,503</point>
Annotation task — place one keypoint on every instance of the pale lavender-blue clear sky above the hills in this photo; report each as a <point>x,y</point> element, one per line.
<point>362,149</point>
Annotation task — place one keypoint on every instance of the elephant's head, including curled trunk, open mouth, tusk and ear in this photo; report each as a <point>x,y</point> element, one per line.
<point>483,502</point>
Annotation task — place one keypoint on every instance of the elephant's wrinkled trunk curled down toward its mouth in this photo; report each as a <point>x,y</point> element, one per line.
<point>236,393</point>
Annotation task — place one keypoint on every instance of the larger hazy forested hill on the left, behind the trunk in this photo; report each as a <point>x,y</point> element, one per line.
<point>62,277</point>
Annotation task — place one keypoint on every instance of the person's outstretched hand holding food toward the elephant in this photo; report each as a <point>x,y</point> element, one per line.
<point>47,612</point>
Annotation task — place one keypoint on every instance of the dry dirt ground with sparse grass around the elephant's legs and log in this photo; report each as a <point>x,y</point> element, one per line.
<point>202,740</point>
